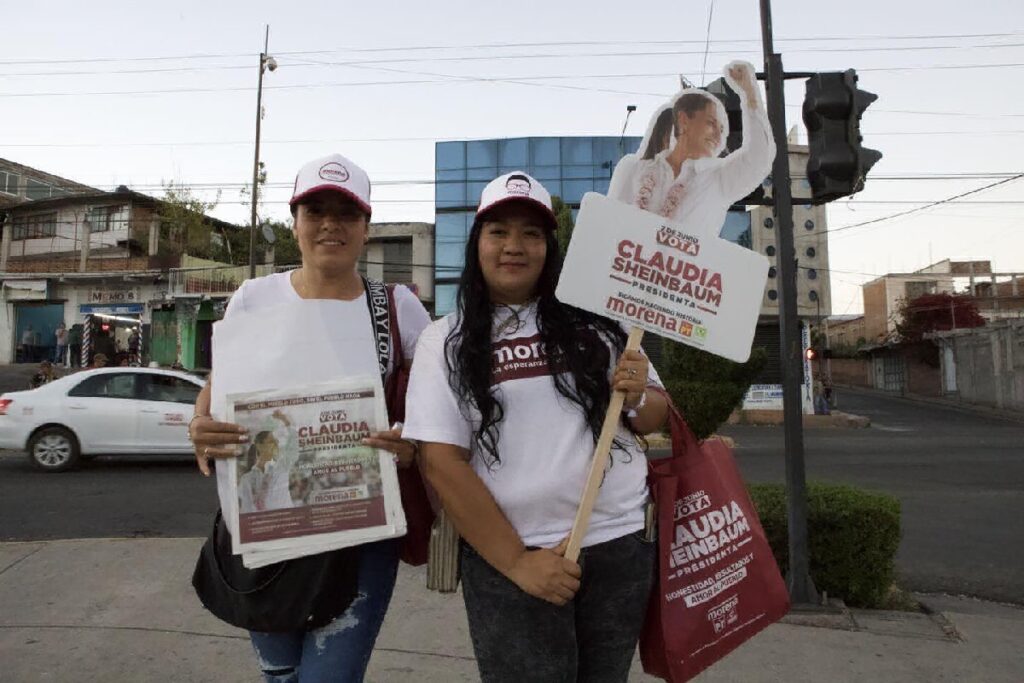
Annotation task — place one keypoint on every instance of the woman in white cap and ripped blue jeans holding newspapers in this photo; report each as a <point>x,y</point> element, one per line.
<point>331,207</point>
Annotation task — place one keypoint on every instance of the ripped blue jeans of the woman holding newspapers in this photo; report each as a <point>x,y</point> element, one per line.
<point>340,651</point>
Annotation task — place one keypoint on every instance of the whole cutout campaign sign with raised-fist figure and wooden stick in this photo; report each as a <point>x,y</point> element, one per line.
<point>650,254</point>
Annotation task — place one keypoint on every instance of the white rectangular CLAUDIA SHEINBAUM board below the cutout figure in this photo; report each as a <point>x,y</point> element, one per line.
<point>659,276</point>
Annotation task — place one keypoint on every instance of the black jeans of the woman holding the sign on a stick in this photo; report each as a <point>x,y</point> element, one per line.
<point>518,637</point>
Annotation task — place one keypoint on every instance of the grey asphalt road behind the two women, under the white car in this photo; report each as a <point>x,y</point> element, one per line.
<point>960,477</point>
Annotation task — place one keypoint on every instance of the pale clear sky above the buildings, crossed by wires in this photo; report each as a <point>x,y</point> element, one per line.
<point>144,95</point>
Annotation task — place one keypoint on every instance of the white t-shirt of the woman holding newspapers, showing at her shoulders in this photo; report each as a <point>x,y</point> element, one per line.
<point>277,289</point>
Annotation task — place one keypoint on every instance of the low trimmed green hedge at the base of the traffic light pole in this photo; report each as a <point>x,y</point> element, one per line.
<point>854,537</point>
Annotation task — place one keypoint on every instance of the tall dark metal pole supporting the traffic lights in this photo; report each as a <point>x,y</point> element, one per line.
<point>801,587</point>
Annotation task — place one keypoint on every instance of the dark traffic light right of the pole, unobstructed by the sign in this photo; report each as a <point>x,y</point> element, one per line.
<point>833,108</point>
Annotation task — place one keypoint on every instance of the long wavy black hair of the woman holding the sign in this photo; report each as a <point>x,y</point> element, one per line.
<point>578,341</point>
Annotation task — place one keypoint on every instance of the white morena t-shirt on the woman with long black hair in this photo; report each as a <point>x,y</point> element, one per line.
<point>544,442</point>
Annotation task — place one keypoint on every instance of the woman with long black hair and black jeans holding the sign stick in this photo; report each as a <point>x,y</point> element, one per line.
<point>507,398</point>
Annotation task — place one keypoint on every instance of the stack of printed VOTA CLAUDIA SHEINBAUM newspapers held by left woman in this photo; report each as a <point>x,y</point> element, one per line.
<point>306,483</point>
